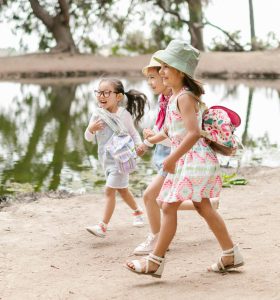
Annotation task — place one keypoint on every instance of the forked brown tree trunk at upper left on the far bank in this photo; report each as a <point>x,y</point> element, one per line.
<point>58,26</point>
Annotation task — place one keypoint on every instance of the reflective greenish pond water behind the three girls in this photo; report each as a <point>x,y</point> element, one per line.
<point>42,146</point>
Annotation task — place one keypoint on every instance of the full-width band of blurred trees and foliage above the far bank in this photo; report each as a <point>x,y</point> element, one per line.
<point>110,26</point>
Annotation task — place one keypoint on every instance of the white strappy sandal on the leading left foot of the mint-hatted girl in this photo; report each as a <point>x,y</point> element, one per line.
<point>151,257</point>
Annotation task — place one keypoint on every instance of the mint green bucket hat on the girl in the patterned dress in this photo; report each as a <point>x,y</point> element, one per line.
<point>179,55</point>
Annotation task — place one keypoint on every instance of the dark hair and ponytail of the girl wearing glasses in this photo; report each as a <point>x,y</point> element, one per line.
<point>135,100</point>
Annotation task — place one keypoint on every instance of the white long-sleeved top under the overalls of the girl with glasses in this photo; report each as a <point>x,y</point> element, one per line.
<point>127,121</point>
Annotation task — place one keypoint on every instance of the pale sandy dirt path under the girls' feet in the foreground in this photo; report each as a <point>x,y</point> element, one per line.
<point>46,253</point>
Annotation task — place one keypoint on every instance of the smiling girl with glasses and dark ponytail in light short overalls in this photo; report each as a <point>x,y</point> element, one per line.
<point>109,94</point>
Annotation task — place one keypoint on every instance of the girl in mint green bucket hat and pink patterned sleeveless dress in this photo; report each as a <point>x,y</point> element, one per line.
<point>192,166</point>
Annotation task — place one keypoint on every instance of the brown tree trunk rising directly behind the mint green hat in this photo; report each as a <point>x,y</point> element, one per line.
<point>195,24</point>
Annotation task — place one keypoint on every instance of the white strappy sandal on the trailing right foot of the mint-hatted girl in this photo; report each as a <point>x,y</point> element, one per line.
<point>237,261</point>
